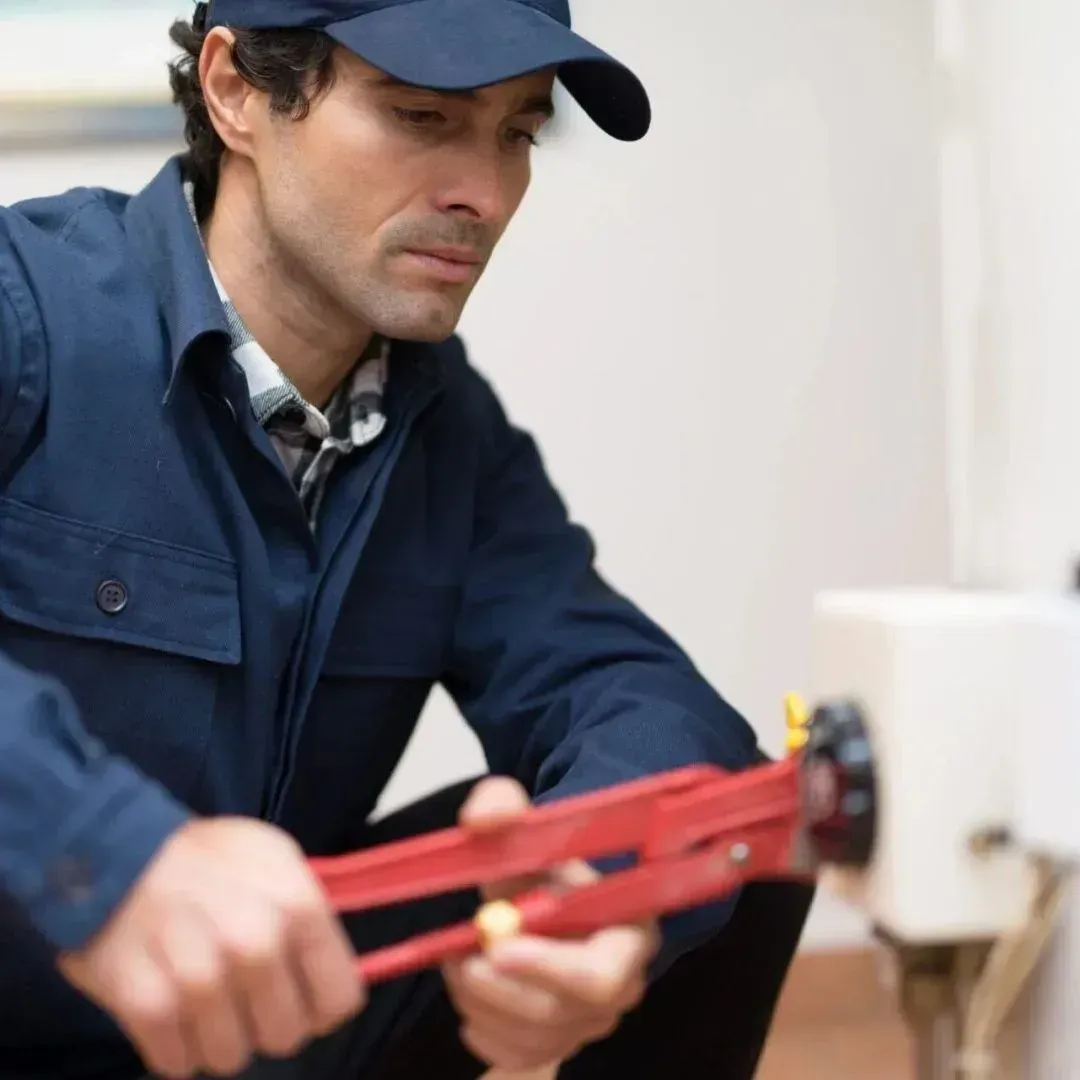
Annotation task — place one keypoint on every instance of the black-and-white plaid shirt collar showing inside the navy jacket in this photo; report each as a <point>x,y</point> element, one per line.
<point>308,441</point>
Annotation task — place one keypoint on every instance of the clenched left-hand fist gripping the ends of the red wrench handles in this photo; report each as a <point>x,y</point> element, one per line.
<point>225,948</point>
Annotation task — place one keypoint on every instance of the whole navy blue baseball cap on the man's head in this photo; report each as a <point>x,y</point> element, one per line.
<point>462,45</point>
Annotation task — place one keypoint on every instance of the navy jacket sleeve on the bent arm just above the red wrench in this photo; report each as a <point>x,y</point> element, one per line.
<point>570,686</point>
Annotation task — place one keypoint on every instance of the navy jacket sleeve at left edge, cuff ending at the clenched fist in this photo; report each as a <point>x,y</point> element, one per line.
<point>77,826</point>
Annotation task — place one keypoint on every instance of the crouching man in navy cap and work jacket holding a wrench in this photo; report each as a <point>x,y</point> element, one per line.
<point>256,504</point>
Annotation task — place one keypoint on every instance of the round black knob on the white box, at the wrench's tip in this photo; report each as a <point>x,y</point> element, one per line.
<point>840,787</point>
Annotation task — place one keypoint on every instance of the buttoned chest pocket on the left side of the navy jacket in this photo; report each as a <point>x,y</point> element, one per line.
<point>140,632</point>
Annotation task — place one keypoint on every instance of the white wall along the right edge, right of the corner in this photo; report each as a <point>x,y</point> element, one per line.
<point>1015,66</point>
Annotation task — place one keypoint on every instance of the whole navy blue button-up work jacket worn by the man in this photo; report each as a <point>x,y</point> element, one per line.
<point>175,640</point>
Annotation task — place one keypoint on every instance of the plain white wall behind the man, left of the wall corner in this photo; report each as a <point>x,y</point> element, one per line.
<point>726,337</point>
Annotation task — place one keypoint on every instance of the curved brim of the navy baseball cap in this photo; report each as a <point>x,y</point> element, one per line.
<point>467,45</point>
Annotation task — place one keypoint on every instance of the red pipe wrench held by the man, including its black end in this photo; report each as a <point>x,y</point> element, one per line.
<point>698,834</point>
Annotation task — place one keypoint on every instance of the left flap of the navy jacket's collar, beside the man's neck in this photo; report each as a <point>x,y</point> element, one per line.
<point>168,244</point>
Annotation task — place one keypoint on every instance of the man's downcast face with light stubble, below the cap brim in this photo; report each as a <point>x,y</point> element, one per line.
<point>390,200</point>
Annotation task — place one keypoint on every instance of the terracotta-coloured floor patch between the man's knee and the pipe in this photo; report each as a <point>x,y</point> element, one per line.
<point>838,1021</point>
